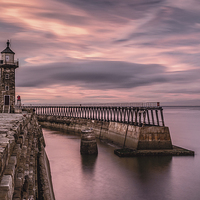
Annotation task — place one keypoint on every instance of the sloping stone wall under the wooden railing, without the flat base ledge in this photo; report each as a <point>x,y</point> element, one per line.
<point>141,138</point>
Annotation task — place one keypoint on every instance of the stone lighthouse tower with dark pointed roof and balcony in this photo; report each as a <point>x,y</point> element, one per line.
<point>7,78</point>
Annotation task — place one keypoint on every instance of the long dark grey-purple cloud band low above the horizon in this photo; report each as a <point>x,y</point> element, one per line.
<point>105,75</point>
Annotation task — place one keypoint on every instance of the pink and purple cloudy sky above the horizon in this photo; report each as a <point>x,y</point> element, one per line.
<point>104,51</point>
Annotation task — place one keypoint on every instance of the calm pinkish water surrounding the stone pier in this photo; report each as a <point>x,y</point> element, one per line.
<point>142,178</point>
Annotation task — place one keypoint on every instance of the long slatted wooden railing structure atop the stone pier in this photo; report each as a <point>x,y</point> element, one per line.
<point>144,114</point>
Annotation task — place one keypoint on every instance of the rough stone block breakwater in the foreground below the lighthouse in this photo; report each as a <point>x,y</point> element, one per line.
<point>24,166</point>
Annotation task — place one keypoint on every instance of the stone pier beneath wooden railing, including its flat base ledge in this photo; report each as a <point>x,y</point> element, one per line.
<point>142,140</point>
